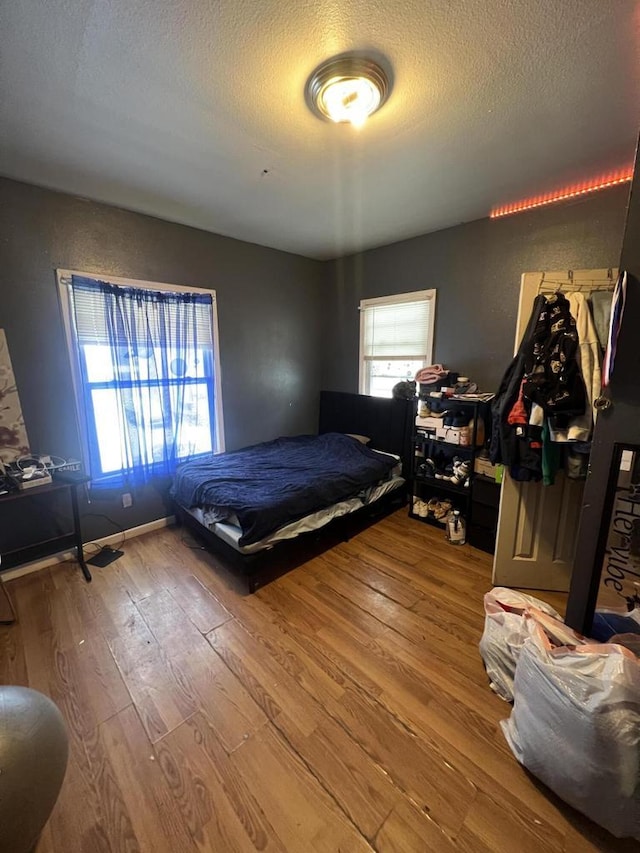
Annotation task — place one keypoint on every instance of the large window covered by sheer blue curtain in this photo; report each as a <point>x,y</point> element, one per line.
<point>146,373</point>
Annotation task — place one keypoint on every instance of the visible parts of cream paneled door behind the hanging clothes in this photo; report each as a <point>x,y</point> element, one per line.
<point>537,524</point>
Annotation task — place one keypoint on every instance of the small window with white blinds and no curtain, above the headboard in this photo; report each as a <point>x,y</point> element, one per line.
<point>396,339</point>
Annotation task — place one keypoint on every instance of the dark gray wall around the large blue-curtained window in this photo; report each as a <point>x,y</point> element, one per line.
<point>269,305</point>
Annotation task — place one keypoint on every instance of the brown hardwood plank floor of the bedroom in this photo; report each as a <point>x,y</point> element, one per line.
<point>344,707</point>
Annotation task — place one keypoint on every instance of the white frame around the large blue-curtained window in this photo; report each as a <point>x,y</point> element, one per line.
<point>84,413</point>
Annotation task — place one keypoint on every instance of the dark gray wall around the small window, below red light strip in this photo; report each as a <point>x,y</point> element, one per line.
<point>476,269</point>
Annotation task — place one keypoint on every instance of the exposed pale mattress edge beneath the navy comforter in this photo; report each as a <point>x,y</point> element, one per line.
<point>231,533</point>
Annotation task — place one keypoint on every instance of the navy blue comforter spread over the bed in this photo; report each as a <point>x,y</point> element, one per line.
<point>271,484</point>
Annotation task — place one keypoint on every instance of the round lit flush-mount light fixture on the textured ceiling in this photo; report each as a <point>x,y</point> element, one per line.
<point>348,88</point>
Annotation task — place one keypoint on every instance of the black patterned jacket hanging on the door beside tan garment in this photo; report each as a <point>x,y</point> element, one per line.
<point>542,382</point>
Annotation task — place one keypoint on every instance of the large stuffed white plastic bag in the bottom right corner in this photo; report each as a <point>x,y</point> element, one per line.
<point>575,725</point>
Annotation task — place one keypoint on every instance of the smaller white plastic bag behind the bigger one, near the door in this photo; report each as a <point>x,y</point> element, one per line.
<point>505,630</point>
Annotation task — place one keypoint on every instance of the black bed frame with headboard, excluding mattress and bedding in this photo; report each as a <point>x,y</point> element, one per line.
<point>388,422</point>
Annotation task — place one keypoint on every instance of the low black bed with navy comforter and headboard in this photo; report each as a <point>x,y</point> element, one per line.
<point>266,507</point>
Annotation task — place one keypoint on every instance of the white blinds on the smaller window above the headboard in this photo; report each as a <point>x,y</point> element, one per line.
<point>398,329</point>
